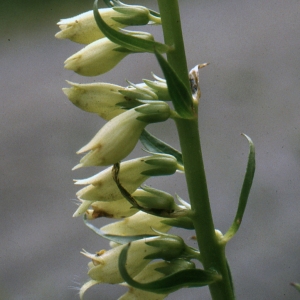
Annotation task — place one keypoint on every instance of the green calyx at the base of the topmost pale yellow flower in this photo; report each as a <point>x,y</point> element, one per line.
<point>133,15</point>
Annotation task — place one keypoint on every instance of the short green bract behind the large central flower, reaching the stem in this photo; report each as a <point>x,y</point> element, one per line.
<point>153,144</point>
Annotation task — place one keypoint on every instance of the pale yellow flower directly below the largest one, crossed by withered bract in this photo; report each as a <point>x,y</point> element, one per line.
<point>133,173</point>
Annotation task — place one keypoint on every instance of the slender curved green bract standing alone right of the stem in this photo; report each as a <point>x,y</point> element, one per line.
<point>248,179</point>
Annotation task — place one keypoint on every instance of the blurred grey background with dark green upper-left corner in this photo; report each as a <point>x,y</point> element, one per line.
<point>251,86</point>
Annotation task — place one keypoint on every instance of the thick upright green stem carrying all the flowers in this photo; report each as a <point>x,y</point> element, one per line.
<point>212,252</point>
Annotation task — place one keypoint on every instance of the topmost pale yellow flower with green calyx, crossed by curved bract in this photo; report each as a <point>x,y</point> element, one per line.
<point>83,28</point>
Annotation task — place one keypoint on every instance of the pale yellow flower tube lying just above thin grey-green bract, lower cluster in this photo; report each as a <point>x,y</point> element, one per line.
<point>138,224</point>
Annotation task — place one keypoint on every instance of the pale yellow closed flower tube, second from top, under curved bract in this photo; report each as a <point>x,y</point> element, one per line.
<point>96,58</point>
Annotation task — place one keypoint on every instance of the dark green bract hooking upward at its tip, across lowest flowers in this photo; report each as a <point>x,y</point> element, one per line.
<point>171,283</point>
